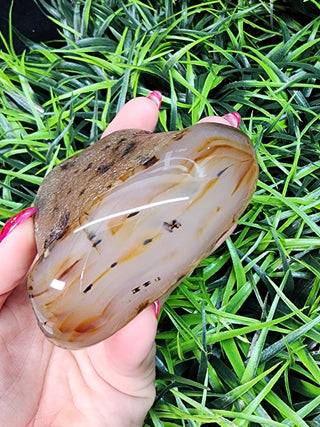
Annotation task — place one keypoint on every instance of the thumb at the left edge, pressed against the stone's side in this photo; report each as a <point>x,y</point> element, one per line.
<point>17,252</point>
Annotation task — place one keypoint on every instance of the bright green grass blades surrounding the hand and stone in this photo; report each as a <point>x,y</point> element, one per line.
<point>238,341</point>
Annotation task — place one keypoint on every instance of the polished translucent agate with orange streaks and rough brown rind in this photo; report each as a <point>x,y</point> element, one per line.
<point>123,222</point>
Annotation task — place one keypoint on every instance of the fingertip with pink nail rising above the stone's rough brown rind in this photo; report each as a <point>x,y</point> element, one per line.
<point>139,113</point>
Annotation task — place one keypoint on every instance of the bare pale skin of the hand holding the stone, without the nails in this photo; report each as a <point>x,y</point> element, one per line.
<point>108,384</point>
